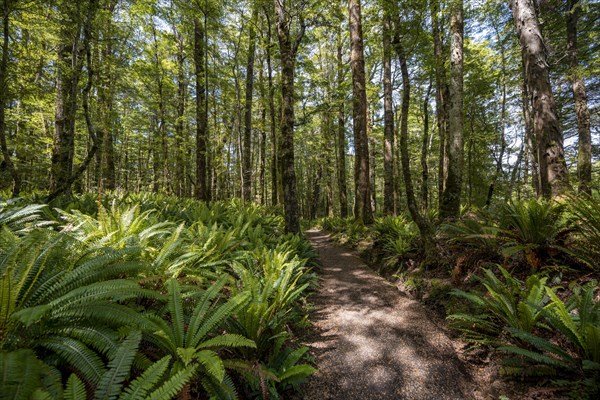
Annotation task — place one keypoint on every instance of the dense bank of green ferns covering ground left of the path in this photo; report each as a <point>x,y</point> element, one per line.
<point>148,296</point>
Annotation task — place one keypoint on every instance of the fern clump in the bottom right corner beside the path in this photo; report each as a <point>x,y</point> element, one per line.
<point>546,330</point>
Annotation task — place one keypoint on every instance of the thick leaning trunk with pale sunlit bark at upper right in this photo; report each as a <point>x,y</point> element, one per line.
<point>554,175</point>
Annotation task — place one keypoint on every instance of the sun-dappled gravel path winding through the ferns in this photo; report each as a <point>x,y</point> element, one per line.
<point>373,343</point>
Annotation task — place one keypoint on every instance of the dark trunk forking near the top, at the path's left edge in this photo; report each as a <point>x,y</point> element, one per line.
<point>288,48</point>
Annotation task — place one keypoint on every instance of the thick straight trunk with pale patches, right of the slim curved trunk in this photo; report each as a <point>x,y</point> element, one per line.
<point>450,206</point>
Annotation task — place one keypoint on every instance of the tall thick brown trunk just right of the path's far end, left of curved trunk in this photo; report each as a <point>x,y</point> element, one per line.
<point>362,202</point>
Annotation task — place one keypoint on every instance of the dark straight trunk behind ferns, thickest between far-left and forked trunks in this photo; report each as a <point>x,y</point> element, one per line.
<point>202,191</point>
